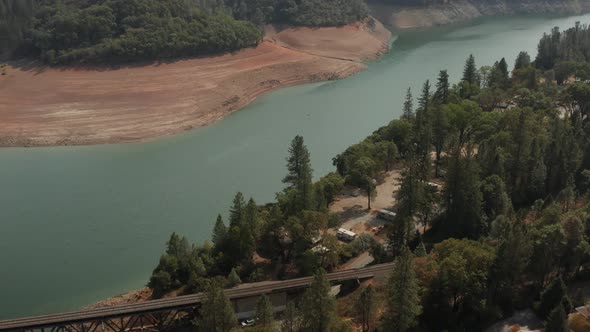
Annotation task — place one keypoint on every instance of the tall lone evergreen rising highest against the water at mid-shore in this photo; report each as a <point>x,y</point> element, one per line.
<point>299,176</point>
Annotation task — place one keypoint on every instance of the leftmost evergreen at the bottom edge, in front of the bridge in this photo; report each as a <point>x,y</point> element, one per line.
<point>216,313</point>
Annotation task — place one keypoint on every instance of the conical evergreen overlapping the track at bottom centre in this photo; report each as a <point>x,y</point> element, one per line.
<point>318,307</point>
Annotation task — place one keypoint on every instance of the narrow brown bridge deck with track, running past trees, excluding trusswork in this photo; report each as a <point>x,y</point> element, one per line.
<point>243,291</point>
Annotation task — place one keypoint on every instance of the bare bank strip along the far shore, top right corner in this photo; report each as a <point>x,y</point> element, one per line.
<point>456,11</point>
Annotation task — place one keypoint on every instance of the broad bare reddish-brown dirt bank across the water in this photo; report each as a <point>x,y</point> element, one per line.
<point>52,106</point>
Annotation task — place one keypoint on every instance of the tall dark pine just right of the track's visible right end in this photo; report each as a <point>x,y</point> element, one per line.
<point>403,307</point>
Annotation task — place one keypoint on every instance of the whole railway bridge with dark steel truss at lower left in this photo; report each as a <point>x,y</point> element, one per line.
<point>165,314</point>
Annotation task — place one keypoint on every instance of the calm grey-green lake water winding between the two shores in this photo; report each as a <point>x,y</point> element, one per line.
<point>79,224</point>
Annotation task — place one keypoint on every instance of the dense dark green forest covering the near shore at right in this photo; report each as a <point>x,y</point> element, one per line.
<point>509,230</point>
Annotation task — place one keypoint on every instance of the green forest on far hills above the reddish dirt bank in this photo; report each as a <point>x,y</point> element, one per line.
<point>107,31</point>
